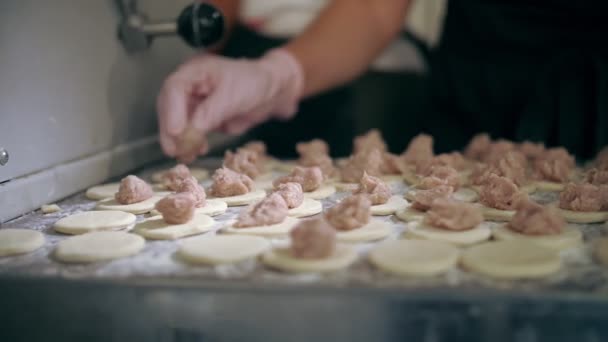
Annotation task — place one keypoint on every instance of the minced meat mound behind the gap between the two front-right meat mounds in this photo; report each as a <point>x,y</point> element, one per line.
<point>500,193</point>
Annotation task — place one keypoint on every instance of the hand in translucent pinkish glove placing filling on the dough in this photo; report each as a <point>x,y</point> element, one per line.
<point>211,93</point>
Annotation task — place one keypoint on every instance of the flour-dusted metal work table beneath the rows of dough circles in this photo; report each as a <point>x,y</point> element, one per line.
<point>154,296</point>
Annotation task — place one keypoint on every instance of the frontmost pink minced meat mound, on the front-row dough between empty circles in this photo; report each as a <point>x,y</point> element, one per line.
<point>313,239</point>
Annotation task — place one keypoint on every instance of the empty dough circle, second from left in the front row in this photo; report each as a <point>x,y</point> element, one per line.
<point>98,246</point>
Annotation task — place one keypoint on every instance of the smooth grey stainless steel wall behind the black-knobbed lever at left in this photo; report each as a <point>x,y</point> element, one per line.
<point>68,89</point>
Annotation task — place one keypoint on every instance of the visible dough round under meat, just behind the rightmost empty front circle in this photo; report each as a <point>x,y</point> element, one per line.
<point>569,237</point>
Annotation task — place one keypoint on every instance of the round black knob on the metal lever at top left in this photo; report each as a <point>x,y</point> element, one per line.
<point>201,25</point>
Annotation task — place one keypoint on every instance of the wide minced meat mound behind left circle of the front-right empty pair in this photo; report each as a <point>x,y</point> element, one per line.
<point>453,215</point>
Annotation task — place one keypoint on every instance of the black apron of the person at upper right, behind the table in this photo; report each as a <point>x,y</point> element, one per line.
<point>534,70</point>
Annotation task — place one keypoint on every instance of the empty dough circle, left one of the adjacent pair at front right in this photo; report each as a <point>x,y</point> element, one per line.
<point>414,257</point>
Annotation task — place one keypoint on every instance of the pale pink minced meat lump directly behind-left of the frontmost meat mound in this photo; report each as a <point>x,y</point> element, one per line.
<point>271,210</point>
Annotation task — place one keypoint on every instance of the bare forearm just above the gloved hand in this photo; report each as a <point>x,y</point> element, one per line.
<point>345,39</point>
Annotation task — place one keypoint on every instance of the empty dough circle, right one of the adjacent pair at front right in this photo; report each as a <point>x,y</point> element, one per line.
<point>511,259</point>
